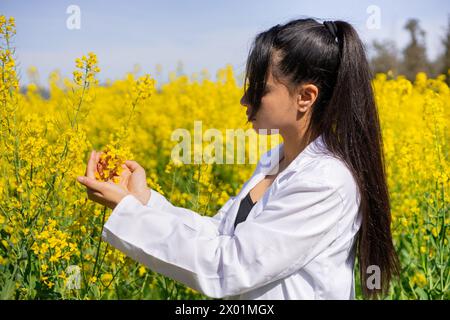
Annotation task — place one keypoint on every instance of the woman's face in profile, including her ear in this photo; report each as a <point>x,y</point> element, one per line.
<point>280,110</point>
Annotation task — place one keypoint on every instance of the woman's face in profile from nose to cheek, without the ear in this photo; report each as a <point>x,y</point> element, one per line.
<point>278,109</point>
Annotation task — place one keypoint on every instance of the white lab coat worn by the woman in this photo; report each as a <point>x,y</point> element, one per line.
<point>296,243</point>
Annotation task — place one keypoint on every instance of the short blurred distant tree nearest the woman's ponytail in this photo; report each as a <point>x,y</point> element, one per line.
<point>385,57</point>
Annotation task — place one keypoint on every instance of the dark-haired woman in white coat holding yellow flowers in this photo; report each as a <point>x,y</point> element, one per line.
<point>294,229</point>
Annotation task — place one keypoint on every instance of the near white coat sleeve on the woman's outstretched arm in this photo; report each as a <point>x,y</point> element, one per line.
<point>297,223</point>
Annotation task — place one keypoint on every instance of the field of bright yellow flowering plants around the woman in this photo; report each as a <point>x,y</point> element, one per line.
<point>50,233</point>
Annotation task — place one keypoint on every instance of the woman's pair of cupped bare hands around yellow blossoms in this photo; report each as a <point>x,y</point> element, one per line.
<point>132,181</point>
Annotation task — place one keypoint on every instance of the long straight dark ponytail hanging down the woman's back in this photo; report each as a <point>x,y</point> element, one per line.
<point>357,139</point>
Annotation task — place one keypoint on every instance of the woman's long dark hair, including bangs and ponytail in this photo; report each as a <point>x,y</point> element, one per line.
<point>345,113</point>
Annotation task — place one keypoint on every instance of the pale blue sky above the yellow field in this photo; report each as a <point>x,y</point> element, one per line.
<point>200,33</point>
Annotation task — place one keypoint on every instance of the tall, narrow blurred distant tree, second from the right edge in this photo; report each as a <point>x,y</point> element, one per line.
<point>414,55</point>
